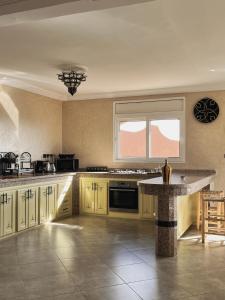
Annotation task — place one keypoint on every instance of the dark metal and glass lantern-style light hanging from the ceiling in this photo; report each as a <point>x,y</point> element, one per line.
<point>72,80</point>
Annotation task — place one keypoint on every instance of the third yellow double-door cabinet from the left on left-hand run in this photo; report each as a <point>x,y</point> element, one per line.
<point>48,203</point>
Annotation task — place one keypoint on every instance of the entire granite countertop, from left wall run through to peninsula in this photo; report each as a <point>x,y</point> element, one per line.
<point>182,181</point>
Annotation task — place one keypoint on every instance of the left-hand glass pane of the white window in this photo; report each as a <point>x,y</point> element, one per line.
<point>132,139</point>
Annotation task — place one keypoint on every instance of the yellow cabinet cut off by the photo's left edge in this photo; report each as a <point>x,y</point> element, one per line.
<point>7,212</point>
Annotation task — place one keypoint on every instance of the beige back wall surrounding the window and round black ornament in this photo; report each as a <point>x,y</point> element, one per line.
<point>88,132</point>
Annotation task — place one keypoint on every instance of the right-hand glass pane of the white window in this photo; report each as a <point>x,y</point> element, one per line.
<point>164,140</point>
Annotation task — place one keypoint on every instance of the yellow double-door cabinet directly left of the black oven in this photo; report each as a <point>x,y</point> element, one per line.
<point>93,196</point>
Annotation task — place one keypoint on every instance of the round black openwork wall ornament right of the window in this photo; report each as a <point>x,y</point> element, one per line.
<point>206,110</point>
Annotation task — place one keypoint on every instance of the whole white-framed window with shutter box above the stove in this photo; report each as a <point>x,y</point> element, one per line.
<point>155,132</point>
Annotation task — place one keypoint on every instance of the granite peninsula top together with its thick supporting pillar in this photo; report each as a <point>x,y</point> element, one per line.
<point>183,182</point>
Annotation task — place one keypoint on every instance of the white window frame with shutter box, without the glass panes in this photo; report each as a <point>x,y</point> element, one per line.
<point>171,115</point>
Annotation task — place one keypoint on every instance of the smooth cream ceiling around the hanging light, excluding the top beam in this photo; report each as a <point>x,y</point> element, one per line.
<point>155,47</point>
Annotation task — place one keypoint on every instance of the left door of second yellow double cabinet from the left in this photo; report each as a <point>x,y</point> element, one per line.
<point>22,210</point>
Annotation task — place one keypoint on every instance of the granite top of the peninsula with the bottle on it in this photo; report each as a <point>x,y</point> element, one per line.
<point>183,182</point>
